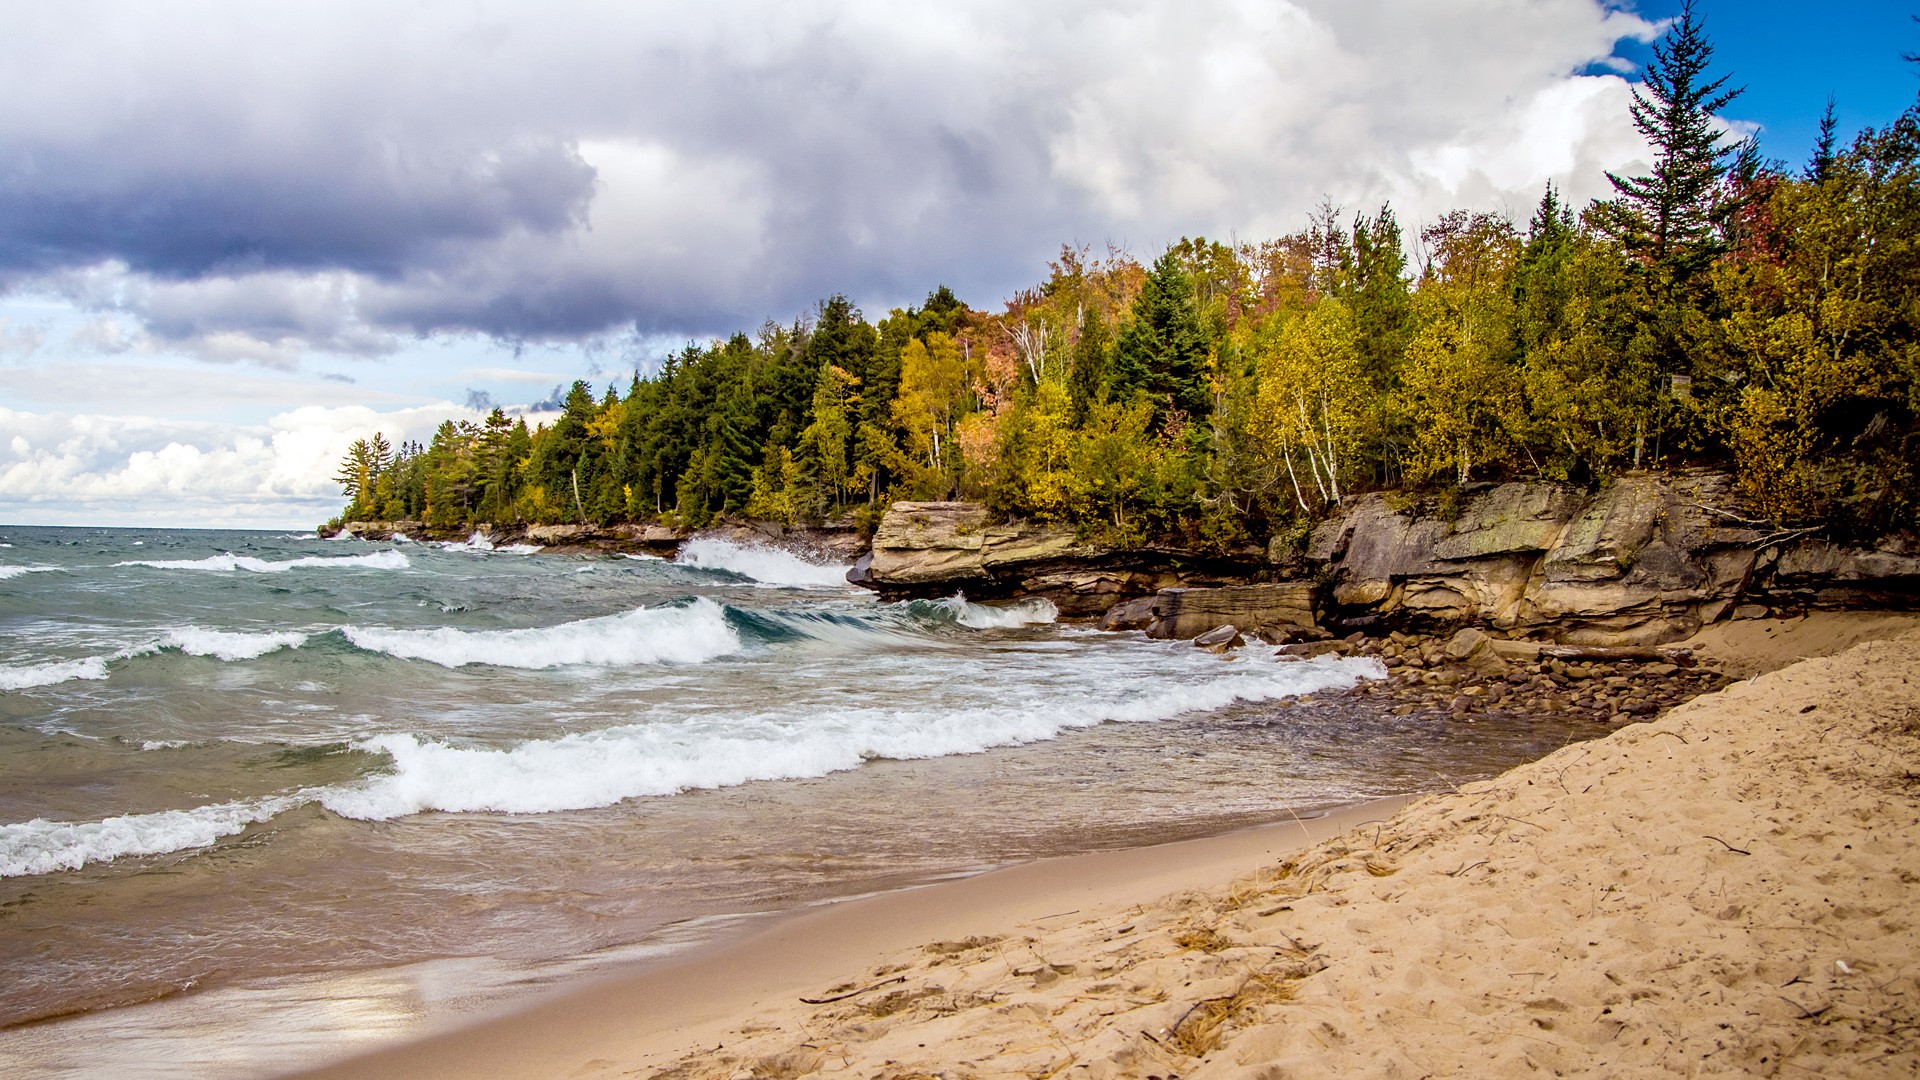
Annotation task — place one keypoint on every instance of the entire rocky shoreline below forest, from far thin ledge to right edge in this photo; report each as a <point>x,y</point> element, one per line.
<point>1646,560</point>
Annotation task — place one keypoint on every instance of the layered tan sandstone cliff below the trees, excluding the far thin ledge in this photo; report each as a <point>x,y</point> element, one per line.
<point>1646,560</point>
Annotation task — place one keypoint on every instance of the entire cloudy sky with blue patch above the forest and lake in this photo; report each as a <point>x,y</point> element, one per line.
<point>235,237</point>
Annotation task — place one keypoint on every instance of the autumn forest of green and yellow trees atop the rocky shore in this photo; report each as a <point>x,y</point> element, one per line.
<point>1721,310</point>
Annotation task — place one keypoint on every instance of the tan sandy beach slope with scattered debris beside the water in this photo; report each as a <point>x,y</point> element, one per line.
<point>1727,891</point>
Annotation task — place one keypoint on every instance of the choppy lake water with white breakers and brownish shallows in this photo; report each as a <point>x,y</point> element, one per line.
<point>266,797</point>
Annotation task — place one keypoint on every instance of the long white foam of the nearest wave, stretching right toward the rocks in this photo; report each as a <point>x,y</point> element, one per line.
<point>684,752</point>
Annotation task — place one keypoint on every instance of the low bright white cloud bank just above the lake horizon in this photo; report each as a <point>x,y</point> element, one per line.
<point>133,470</point>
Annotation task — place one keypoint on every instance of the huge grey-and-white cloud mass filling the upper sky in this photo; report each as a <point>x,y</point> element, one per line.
<point>256,184</point>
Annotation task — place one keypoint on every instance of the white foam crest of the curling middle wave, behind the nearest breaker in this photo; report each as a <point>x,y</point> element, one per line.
<point>690,633</point>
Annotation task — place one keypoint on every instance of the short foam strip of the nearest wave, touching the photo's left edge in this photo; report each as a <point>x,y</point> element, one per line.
<point>45,847</point>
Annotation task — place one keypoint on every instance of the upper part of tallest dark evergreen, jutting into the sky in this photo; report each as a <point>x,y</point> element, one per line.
<point>1668,214</point>
